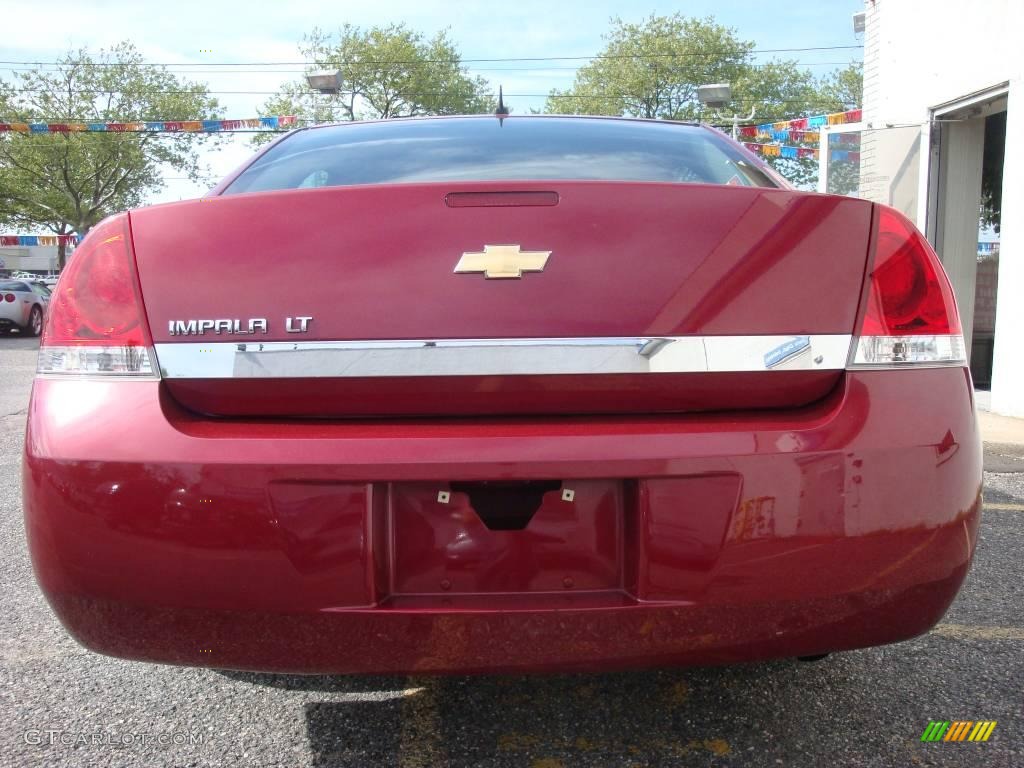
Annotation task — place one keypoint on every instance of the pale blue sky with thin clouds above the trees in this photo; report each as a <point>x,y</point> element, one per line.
<point>198,33</point>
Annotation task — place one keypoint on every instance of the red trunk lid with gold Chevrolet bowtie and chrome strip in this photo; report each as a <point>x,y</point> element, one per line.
<point>377,302</point>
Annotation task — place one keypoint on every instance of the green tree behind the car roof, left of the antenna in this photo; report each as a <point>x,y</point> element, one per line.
<point>387,72</point>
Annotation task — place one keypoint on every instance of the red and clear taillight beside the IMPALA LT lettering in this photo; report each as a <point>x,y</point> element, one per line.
<point>96,325</point>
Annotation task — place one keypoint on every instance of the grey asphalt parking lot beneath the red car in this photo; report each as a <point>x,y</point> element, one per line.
<point>65,706</point>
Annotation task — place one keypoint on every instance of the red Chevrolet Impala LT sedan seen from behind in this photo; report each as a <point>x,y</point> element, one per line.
<point>565,394</point>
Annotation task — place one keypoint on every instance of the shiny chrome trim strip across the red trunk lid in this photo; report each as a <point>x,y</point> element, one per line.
<point>285,360</point>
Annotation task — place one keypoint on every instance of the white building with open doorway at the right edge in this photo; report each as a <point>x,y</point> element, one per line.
<point>936,74</point>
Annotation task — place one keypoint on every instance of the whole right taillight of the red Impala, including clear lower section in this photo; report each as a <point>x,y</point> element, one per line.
<point>910,314</point>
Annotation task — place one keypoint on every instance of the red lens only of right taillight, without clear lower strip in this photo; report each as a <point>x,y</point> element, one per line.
<point>909,292</point>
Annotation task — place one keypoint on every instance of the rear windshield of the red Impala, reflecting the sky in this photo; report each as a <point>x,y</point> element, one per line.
<point>489,150</point>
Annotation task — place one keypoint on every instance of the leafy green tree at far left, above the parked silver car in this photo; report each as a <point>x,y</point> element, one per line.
<point>67,183</point>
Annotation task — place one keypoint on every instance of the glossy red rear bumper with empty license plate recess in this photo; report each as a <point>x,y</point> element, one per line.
<point>321,547</point>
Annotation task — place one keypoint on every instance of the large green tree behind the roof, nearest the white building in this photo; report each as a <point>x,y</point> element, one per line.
<point>653,70</point>
